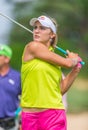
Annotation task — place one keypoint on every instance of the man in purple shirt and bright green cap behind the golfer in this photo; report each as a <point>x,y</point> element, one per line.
<point>10,90</point>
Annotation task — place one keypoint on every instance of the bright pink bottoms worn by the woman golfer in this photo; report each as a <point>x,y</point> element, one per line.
<point>52,119</point>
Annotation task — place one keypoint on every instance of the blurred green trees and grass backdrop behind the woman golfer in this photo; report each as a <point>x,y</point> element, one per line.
<point>72,18</point>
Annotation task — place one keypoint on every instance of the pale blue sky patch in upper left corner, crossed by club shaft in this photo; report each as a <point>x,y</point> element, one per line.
<point>5,25</point>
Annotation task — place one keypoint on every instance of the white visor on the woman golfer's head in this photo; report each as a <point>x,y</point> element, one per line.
<point>45,21</point>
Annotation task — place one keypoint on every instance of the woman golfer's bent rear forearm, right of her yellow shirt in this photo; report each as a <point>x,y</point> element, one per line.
<point>69,79</point>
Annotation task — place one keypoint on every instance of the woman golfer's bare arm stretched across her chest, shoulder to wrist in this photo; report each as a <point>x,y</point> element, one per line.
<point>42,52</point>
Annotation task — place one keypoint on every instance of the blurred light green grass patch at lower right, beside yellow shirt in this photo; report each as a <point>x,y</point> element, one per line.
<point>77,100</point>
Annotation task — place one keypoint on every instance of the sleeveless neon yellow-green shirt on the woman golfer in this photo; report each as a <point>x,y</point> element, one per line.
<point>41,85</point>
